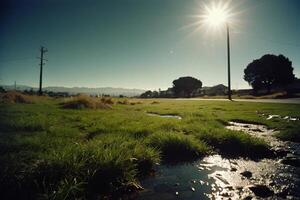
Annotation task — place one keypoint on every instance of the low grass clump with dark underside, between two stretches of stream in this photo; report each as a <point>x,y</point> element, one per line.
<point>233,143</point>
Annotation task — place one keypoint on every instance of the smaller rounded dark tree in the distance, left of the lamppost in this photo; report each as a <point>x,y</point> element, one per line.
<point>185,86</point>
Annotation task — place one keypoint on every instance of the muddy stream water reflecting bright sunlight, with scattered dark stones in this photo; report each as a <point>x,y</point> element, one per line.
<point>215,177</point>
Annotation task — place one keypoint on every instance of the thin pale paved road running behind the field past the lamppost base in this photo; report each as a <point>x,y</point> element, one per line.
<point>290,101</point>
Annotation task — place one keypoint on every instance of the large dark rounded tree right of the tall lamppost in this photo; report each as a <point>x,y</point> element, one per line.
<point>268,72</point>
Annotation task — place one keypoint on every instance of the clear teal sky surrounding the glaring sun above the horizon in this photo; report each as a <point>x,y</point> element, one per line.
<point>143,44</point>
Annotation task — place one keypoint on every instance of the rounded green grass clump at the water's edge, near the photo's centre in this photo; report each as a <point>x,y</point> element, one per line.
<point>177,147</point>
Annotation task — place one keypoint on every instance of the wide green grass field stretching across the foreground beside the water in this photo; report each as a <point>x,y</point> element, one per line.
<point>50,152</point>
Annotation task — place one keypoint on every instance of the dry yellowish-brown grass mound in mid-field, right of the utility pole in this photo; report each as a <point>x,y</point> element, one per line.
<point>84,101</point>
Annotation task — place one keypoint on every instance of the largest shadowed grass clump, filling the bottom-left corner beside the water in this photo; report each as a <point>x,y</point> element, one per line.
<point>98,169</point>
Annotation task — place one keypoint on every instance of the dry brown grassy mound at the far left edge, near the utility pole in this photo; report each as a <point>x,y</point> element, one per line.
<point>14,97</point>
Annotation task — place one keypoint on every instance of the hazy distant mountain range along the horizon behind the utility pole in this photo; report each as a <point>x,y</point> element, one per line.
<point>75,90</point>
